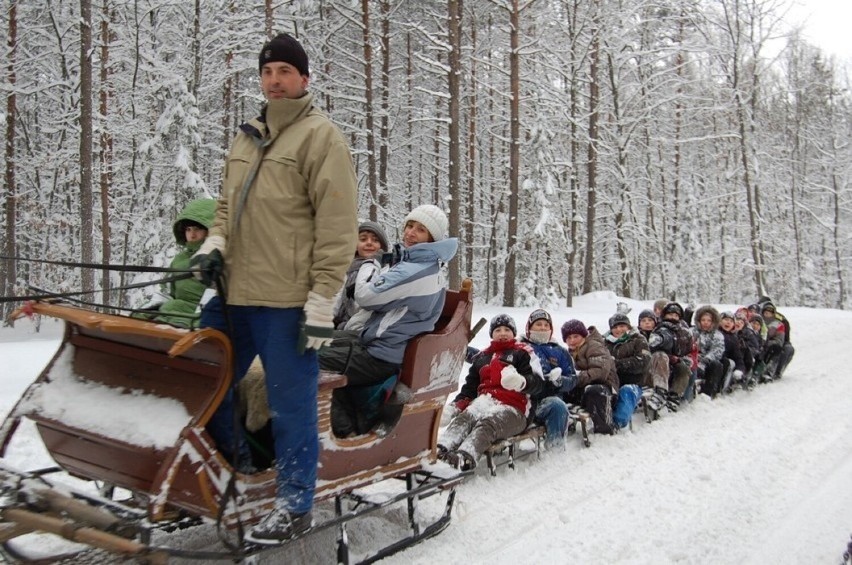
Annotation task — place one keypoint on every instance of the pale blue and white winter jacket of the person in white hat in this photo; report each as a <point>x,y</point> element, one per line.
<point>405,300</point>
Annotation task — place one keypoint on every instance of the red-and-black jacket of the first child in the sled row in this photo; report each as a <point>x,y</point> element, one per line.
<point>486,372</point>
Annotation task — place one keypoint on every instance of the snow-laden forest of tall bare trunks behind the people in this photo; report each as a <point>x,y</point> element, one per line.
<point>689,149</point>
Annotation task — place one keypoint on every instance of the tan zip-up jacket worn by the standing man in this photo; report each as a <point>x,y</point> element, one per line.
<point>288,211</point>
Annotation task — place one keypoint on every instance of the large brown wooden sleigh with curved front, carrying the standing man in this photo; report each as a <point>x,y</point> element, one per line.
<point>164,384</point>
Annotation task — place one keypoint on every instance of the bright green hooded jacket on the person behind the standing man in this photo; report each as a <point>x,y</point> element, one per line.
<point>186,293</point>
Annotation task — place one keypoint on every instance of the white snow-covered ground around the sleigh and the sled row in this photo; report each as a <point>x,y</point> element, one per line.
<point>760,477</point>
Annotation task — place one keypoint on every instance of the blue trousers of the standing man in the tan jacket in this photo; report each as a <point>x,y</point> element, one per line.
<point>291,384</point>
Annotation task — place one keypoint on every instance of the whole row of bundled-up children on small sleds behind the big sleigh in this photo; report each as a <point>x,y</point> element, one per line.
<point>512,383</point>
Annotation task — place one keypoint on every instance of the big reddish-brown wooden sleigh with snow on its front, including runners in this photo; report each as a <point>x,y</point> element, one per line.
<point>157,469</point>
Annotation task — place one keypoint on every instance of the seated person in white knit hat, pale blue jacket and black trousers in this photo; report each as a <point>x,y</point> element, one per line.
<point>404,294</point>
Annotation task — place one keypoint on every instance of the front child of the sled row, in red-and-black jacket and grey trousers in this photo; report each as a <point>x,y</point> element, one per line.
<point>494,402</point>
